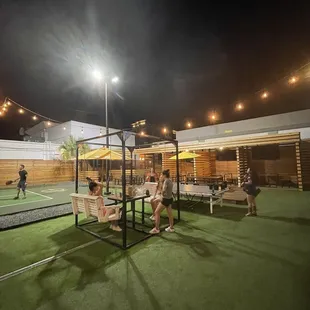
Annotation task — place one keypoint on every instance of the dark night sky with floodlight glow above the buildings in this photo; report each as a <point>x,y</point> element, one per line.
<point>177,60</point>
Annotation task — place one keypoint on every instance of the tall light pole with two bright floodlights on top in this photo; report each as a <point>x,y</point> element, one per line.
<point>98,76</point>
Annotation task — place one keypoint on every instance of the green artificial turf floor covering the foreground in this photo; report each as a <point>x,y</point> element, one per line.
<point>223,261</point>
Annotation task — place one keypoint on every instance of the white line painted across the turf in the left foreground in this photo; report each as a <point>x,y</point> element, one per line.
<point>45,261</point>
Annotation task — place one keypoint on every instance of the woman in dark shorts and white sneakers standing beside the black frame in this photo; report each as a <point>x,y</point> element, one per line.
<point>166,202</point>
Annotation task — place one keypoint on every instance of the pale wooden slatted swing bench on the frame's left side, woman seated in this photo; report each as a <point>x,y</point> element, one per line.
<point>94,206</point>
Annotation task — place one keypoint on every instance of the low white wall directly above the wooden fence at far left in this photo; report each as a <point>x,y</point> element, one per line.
<point>10,149</point>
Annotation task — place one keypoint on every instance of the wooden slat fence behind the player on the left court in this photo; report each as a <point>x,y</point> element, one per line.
<point>39,171</point>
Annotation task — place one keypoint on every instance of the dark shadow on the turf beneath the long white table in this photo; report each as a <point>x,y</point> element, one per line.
<point>225,212</point>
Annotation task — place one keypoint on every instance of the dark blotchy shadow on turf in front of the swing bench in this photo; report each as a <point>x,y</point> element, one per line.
<point>88,261</point>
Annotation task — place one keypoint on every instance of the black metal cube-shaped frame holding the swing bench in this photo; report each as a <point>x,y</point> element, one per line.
<point>123,136</point>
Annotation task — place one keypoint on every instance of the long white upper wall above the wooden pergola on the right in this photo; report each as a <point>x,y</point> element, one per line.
<point>271,124</point>
